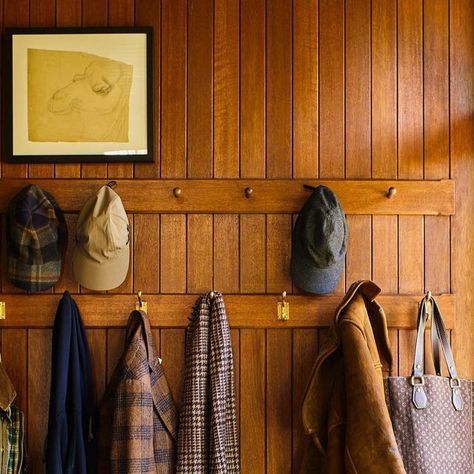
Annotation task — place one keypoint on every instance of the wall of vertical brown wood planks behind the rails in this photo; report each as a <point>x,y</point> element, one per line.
<point>355,89</point>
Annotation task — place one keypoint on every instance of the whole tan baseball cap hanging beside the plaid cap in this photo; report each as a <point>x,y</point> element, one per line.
<point>102,253</point>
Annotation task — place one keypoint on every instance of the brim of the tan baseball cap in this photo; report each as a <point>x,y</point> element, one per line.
<point>101,276</point>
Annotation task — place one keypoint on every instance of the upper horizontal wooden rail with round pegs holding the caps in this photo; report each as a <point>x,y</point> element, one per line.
<point>408,197</point>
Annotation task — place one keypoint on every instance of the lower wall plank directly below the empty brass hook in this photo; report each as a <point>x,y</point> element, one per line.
<point>278,400</point>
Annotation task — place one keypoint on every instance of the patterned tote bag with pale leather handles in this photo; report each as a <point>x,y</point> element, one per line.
<point>432,416</point>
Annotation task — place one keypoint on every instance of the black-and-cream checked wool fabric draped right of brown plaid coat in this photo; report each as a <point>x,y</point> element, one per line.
<point>207,436</point>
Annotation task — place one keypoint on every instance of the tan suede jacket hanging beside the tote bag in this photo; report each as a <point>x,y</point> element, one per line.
<point>344,407</point>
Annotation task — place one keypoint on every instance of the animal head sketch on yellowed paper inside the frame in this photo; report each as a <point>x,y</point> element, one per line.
<point>77,97</point>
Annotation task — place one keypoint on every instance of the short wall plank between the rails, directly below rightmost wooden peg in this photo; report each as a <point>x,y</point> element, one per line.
<point>385,253</point>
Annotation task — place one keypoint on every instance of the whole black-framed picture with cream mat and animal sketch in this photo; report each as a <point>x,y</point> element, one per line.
<point>78,95</point>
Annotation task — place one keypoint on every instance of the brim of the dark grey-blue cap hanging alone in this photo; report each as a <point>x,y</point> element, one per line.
<point>312,279</point>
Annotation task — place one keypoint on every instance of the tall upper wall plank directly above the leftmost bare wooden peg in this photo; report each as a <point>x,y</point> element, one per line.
<point>173,89</point>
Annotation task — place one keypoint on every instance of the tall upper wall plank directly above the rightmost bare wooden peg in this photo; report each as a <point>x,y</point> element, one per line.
<point>384,89</point>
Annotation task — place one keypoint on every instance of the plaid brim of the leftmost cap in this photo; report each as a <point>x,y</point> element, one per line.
<point>33,277</point>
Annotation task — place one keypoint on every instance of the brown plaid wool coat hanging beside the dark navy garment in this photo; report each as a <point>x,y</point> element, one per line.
<point>138,419</point>
